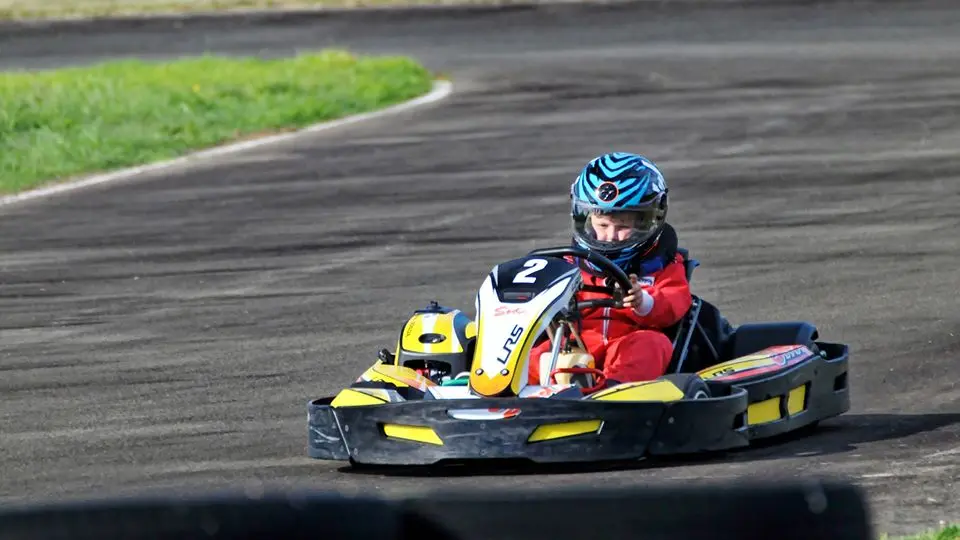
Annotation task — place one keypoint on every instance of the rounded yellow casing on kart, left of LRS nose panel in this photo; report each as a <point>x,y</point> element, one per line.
<point>437,341</point>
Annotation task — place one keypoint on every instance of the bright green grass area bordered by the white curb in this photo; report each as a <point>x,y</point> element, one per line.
<point>66,122</point>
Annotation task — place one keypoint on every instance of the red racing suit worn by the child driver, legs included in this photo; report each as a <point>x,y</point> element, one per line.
<point>627,344</point>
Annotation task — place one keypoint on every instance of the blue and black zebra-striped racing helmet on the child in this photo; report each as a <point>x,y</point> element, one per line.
<point>618,206</point>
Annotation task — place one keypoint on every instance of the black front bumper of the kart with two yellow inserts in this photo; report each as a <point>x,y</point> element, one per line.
<point>425,432</point>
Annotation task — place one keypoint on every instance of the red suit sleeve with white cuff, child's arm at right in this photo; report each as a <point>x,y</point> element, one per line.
<point>666,300</point>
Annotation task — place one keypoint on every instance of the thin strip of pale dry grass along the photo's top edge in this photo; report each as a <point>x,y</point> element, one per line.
<point>66,9</point>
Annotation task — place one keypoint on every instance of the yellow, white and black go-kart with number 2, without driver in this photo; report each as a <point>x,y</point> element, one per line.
<point>457,389</point>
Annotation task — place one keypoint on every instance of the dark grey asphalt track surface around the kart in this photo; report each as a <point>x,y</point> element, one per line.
<point>166,332</point>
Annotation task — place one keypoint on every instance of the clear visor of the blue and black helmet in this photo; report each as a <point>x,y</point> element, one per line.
<point>610,230</point>
